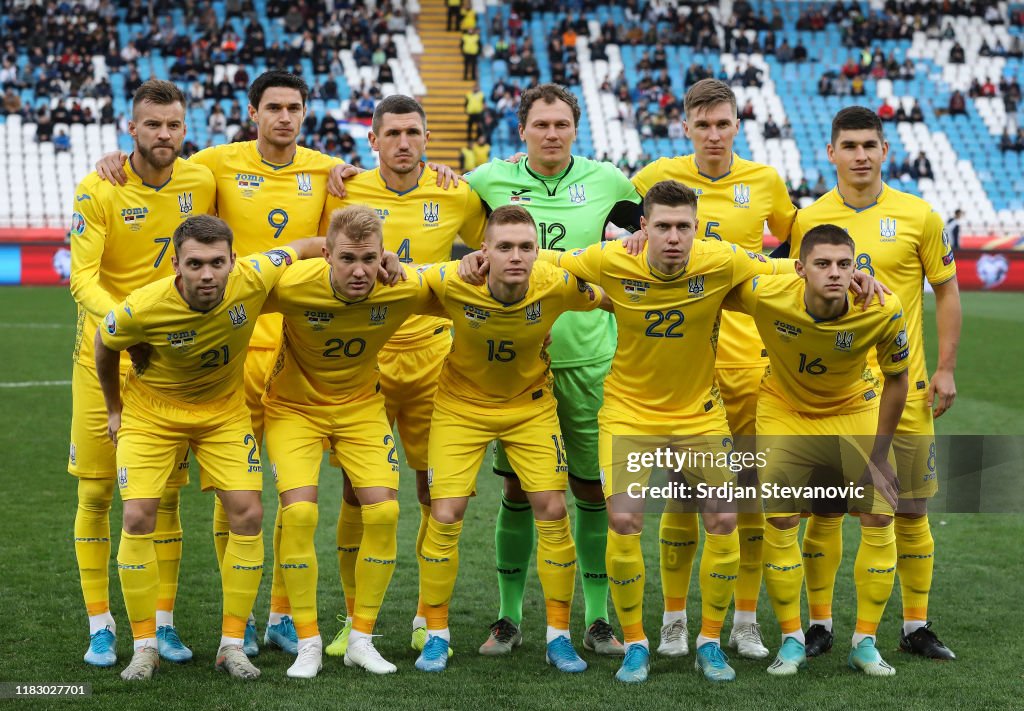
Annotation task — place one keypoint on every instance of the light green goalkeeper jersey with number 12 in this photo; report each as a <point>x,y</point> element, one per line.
<point>572,211</point>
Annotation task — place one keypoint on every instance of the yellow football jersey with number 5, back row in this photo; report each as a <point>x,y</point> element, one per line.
<point>734,207</point>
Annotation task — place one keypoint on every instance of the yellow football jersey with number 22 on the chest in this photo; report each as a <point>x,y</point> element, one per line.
<point>665,365</point>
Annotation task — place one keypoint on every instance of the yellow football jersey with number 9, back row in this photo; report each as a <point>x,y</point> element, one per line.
<point>268,205</point>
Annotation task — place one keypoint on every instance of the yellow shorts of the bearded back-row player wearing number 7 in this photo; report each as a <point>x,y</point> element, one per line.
<point>92,453</point>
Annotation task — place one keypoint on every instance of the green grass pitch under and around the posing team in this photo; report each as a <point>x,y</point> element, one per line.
<point>44,633</point>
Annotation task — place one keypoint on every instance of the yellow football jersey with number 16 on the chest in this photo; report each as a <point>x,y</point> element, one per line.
<point>820,367</point>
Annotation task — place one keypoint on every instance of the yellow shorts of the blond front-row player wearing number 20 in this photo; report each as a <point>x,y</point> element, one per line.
<point>360,438</point>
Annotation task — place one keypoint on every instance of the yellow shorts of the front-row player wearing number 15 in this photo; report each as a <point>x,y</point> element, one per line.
<point>460,433</point>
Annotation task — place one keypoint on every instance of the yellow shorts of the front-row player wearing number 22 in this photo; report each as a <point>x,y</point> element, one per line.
<point>628,450</point>
